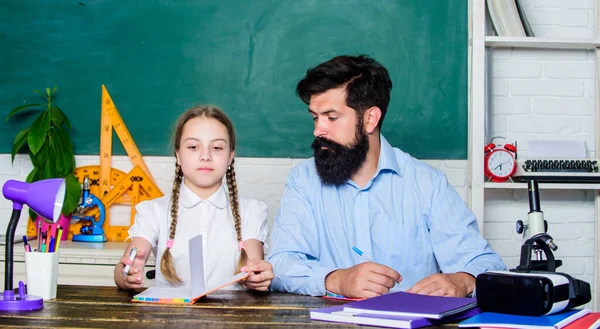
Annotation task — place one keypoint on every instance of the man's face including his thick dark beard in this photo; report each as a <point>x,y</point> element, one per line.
<point>341,144</point>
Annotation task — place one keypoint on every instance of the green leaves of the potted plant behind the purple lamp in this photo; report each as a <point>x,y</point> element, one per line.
<point>50,149</point>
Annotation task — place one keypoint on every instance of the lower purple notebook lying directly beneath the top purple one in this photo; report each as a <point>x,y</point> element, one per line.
<point>337,314</point>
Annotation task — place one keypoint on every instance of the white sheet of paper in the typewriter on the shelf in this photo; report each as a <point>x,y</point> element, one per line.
<point>544,149</point>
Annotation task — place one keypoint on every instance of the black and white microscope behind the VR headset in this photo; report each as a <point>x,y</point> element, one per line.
<point>537,241</point>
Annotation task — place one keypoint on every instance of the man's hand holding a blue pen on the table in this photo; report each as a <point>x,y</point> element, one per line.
<point>362,281</point>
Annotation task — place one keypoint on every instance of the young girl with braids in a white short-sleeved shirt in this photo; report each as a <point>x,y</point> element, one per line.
<point>233,229</point>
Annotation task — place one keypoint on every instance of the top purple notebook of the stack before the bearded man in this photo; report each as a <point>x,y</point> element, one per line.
<point>406,304</point>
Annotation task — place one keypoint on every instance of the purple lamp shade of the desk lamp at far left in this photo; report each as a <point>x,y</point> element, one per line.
<point>45,197</point>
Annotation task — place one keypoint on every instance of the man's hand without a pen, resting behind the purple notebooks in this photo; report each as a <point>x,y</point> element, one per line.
<point>455,285</point>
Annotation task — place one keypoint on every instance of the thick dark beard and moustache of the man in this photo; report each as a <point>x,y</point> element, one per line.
<point>337,163</point>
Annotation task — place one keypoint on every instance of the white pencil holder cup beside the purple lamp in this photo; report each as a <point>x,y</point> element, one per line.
<point>41,272</point>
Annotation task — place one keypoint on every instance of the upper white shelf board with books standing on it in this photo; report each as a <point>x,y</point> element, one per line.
<point>548,43</point>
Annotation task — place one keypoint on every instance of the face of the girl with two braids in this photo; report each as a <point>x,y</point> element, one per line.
<point>204,155</point>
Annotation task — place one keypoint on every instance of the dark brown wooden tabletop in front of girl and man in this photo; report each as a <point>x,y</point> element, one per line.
<point>108,307</point>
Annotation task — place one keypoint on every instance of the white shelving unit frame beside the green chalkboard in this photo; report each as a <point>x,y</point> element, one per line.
<point>479,50</point>
